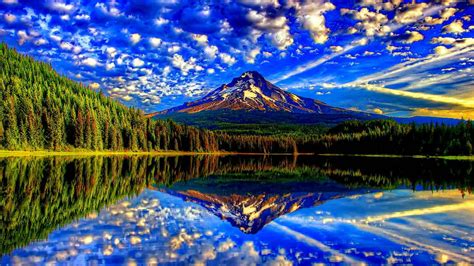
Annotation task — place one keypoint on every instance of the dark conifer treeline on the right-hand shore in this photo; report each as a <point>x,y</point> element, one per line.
<point>390,137</point>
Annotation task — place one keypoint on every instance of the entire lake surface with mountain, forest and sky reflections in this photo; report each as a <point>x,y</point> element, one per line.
<point>235,210</point>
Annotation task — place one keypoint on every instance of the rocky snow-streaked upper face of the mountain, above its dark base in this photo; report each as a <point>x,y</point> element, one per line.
<point>252,92</point>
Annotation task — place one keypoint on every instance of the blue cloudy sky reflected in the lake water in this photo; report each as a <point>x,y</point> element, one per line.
<point>399,226</point>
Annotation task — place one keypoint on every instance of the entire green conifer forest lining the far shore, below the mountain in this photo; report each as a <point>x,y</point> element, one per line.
<point>42,110</point>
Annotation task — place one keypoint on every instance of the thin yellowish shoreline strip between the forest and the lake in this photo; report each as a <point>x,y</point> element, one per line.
<point>7,153</point>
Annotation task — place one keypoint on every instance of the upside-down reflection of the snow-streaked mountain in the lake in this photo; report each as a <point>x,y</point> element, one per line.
<point>249,203</point>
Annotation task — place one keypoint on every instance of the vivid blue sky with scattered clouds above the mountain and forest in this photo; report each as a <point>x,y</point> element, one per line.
<point>393,57</point>
